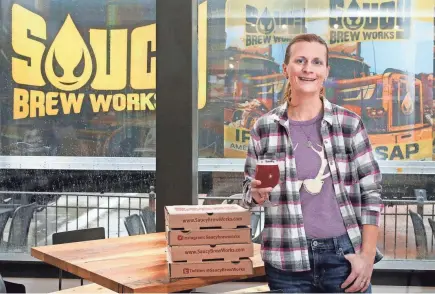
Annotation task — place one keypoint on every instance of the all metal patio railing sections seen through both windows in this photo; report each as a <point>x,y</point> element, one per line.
<point>57,212</point>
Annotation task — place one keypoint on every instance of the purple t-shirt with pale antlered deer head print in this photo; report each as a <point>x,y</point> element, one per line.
<point>322,217</point>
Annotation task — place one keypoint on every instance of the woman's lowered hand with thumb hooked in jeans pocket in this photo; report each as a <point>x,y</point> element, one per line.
<point>361,274</point>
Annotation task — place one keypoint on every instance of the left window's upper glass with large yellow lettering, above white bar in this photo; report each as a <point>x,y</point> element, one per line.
<point>76,74</point>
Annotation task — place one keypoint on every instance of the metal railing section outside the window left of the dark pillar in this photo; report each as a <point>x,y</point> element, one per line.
<point>58,212</point>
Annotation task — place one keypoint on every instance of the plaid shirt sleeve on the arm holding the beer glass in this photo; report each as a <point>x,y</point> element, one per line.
<point>250,166</point>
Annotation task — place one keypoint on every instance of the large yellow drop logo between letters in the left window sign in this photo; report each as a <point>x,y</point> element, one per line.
<point>68,64</point>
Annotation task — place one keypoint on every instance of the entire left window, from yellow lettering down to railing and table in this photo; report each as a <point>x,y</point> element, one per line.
<point>77,104</point>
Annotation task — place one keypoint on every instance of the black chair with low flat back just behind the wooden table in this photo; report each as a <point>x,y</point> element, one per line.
<point>77,236</point>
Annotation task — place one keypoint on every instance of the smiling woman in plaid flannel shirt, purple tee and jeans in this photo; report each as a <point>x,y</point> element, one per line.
<point>321,223</point>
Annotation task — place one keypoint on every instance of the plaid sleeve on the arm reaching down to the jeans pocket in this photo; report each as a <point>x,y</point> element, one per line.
<point>370,177</point>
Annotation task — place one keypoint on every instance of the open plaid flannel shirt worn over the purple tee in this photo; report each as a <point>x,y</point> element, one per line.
<point>355,174</point>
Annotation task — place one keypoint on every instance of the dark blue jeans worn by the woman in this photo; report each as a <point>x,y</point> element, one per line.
<point>329,269</point>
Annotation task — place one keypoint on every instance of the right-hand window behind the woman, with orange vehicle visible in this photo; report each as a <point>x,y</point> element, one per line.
<point>379,57</point>
